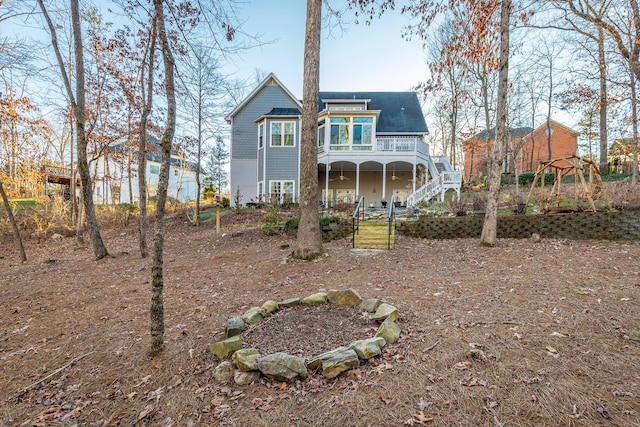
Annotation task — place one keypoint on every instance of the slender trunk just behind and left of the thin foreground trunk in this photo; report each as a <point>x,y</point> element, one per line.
<point>147,99</point>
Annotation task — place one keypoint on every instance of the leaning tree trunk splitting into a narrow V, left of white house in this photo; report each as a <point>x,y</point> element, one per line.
<point>99,250</point>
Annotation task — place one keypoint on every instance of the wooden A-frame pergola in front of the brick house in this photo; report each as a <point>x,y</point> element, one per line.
<point>578,167</point>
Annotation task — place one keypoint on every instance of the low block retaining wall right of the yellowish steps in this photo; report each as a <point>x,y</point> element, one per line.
<point>576,226</point>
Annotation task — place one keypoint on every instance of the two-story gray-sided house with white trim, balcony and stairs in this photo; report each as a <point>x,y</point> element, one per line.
<point>370,144</point>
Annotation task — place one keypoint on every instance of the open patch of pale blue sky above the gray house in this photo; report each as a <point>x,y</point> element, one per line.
<point>362,58</point>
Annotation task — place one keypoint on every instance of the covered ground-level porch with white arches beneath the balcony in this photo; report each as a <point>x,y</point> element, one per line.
<point>345,181</point>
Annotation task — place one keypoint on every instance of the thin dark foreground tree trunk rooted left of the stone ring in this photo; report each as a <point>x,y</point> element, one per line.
<point>157,282</point>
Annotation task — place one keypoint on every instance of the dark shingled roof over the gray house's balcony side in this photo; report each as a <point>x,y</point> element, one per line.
<point>400,112</point>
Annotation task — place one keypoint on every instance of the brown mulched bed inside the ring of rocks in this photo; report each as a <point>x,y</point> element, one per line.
<point>307,331</point>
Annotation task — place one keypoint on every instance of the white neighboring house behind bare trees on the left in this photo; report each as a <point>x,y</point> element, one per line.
<point>115,175</point>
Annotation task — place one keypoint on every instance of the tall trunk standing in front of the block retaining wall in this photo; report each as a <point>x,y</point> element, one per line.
<point>489,227</point>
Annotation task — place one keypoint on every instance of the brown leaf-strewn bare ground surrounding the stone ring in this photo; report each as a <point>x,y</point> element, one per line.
<point>557,320</point>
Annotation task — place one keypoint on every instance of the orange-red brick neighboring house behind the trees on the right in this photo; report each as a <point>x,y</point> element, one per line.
<point>530,148</point>
